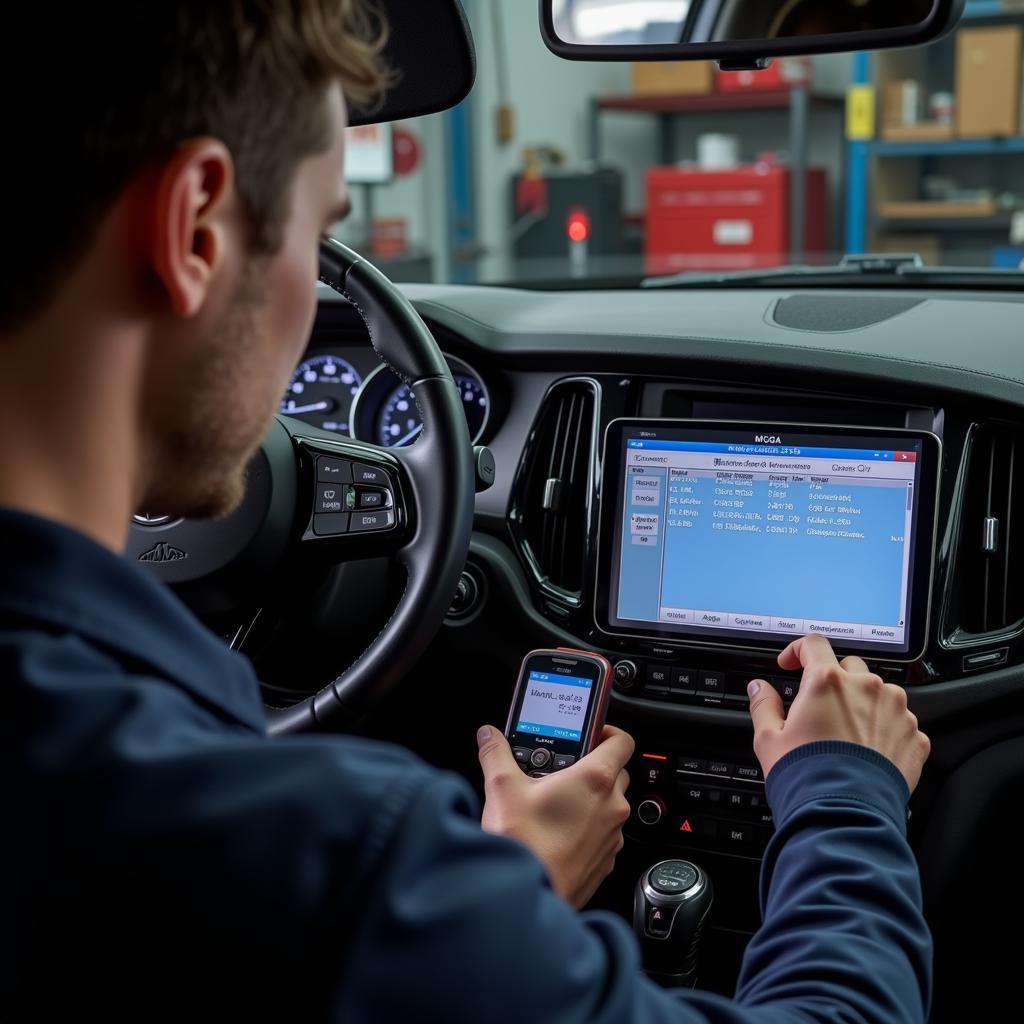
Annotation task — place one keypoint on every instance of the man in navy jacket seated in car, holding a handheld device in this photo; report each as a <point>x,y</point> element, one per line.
<point>170,172</point>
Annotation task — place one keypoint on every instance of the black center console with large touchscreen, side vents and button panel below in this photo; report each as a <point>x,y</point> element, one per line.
<point>690,531</point>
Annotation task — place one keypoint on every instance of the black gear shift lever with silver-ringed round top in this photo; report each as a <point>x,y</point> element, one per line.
<point>670,908</point>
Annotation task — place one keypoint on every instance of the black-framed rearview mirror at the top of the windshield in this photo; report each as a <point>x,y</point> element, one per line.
<point>740,33</point>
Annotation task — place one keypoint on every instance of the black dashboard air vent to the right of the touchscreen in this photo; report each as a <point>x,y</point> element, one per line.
<point>991,558</point>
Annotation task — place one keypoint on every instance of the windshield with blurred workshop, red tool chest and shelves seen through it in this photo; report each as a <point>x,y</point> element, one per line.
<point>560,174</point>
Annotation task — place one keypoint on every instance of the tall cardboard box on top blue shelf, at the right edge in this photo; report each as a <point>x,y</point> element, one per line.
<point>989,81</point>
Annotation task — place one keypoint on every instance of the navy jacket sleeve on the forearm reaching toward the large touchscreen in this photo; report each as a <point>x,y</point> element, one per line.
<point>840,892</point>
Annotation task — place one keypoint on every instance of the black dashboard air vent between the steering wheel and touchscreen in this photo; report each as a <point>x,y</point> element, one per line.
<point>552,502</point>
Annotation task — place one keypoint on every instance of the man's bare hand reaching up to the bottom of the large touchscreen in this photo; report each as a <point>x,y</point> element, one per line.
<point>837,701</point>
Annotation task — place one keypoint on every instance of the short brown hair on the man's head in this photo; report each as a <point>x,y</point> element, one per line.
<point>97,92</point>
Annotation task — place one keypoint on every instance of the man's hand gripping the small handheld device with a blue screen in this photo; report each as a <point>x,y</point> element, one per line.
<point>573,820</point>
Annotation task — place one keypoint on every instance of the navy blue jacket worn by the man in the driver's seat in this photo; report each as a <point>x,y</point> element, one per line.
<point>161,859</point>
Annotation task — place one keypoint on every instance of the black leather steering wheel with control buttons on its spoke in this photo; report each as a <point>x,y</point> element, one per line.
<point>312,495</point>
